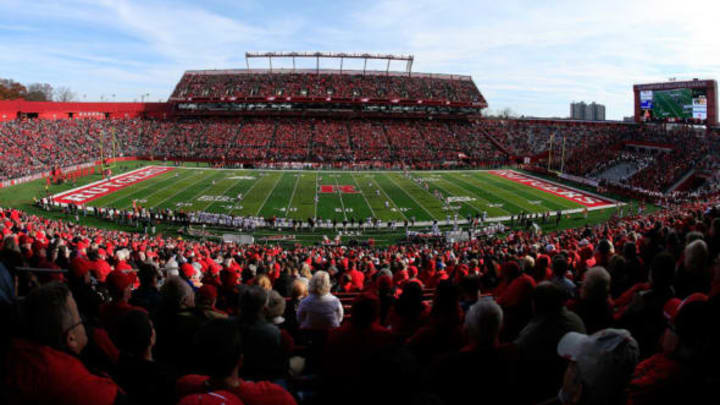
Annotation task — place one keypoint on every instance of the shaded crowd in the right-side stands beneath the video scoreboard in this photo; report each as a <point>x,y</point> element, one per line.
<point>587,149</point>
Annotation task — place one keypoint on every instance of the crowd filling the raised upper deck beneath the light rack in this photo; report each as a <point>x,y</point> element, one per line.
<point>323,85</point>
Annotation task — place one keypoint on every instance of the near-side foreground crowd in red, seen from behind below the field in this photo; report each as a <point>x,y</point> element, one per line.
<point>623,312</point>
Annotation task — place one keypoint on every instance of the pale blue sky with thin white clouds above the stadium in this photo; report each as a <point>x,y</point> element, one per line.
<point>534,57</point>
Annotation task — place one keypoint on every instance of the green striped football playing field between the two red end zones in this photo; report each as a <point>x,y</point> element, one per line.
<point>336,195</point>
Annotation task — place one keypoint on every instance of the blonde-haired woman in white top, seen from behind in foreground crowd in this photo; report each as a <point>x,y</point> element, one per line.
<point>320,309</point>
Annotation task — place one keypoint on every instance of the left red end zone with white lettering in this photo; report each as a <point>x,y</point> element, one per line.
<point>102,188</point>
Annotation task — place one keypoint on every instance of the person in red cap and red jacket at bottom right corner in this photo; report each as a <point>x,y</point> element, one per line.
<point>676,375</point>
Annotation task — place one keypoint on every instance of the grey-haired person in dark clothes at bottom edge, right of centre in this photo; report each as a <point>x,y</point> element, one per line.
<point>483,367</point>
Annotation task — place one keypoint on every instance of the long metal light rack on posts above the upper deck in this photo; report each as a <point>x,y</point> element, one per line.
<point>408,59</point>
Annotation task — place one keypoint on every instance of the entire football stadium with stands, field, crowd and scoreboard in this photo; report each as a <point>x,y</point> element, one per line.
<point>317,235</point>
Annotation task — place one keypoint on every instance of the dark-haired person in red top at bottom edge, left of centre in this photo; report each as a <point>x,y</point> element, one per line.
<point>219,345</point>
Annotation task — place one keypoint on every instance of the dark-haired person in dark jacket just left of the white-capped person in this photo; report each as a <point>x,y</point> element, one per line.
<point>539,365</point>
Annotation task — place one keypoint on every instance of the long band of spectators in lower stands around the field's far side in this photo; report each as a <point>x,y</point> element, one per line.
<point>661,157</point>
